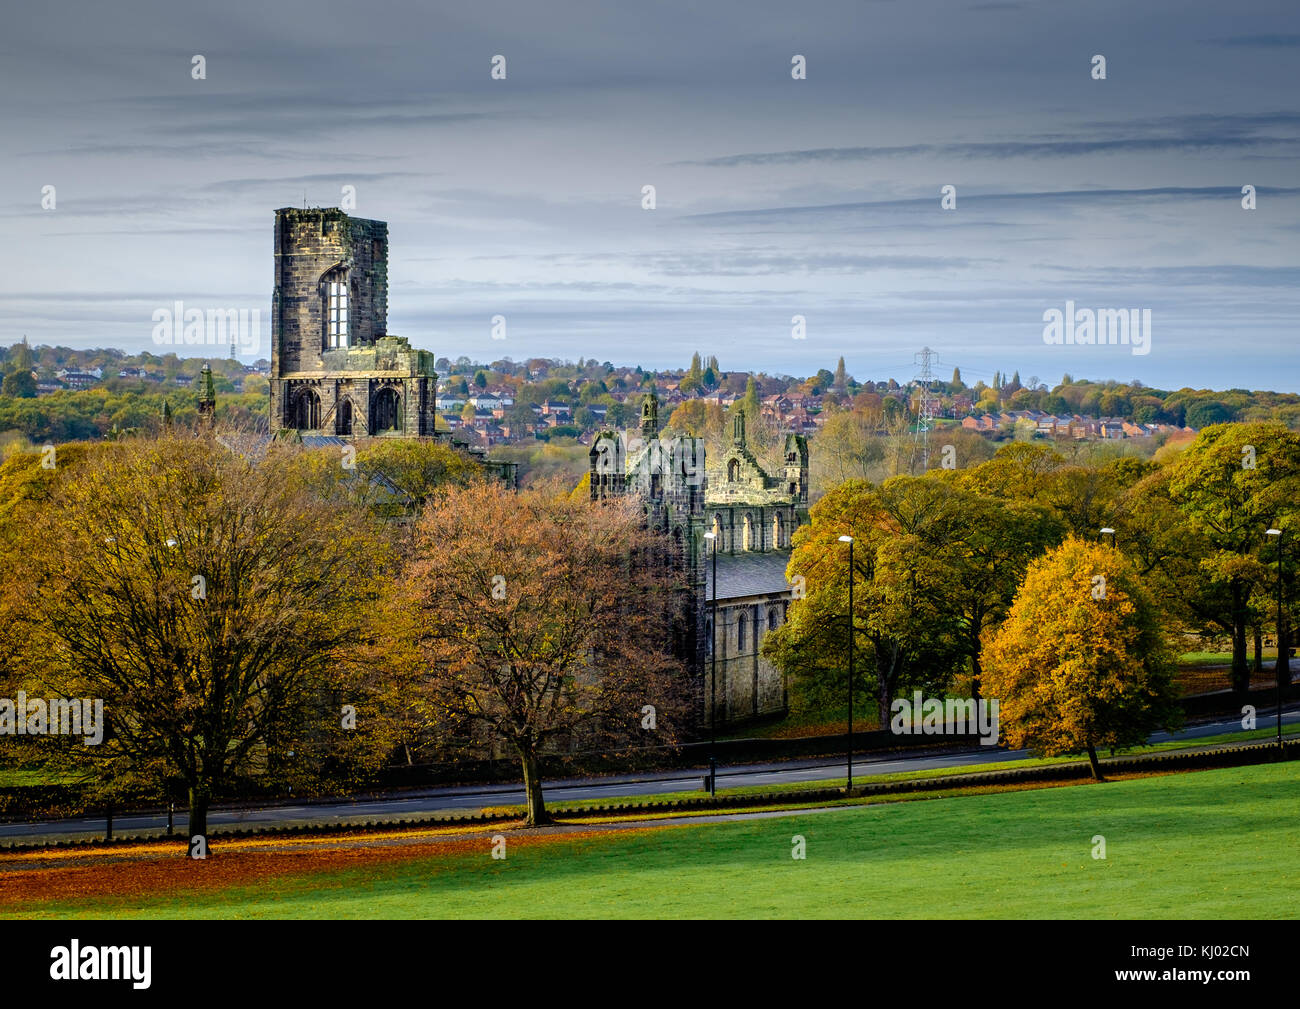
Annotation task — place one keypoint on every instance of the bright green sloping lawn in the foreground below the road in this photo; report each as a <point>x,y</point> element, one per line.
<point>1207,845</point>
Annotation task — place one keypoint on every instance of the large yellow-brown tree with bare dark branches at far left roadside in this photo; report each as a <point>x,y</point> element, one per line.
<point>209,599</point>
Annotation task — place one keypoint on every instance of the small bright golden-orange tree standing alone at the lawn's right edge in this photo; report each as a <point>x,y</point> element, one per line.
<point>1082,660</point>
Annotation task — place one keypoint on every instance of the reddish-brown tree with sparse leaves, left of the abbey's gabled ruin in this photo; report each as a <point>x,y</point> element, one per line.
<point>544,618</point>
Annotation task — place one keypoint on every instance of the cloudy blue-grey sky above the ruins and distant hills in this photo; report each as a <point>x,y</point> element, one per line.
<point>775,197</point>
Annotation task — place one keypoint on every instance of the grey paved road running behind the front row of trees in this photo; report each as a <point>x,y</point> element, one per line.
<point>471,799</point>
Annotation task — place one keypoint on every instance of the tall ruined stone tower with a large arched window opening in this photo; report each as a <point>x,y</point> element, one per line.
<point>335,370</point>
